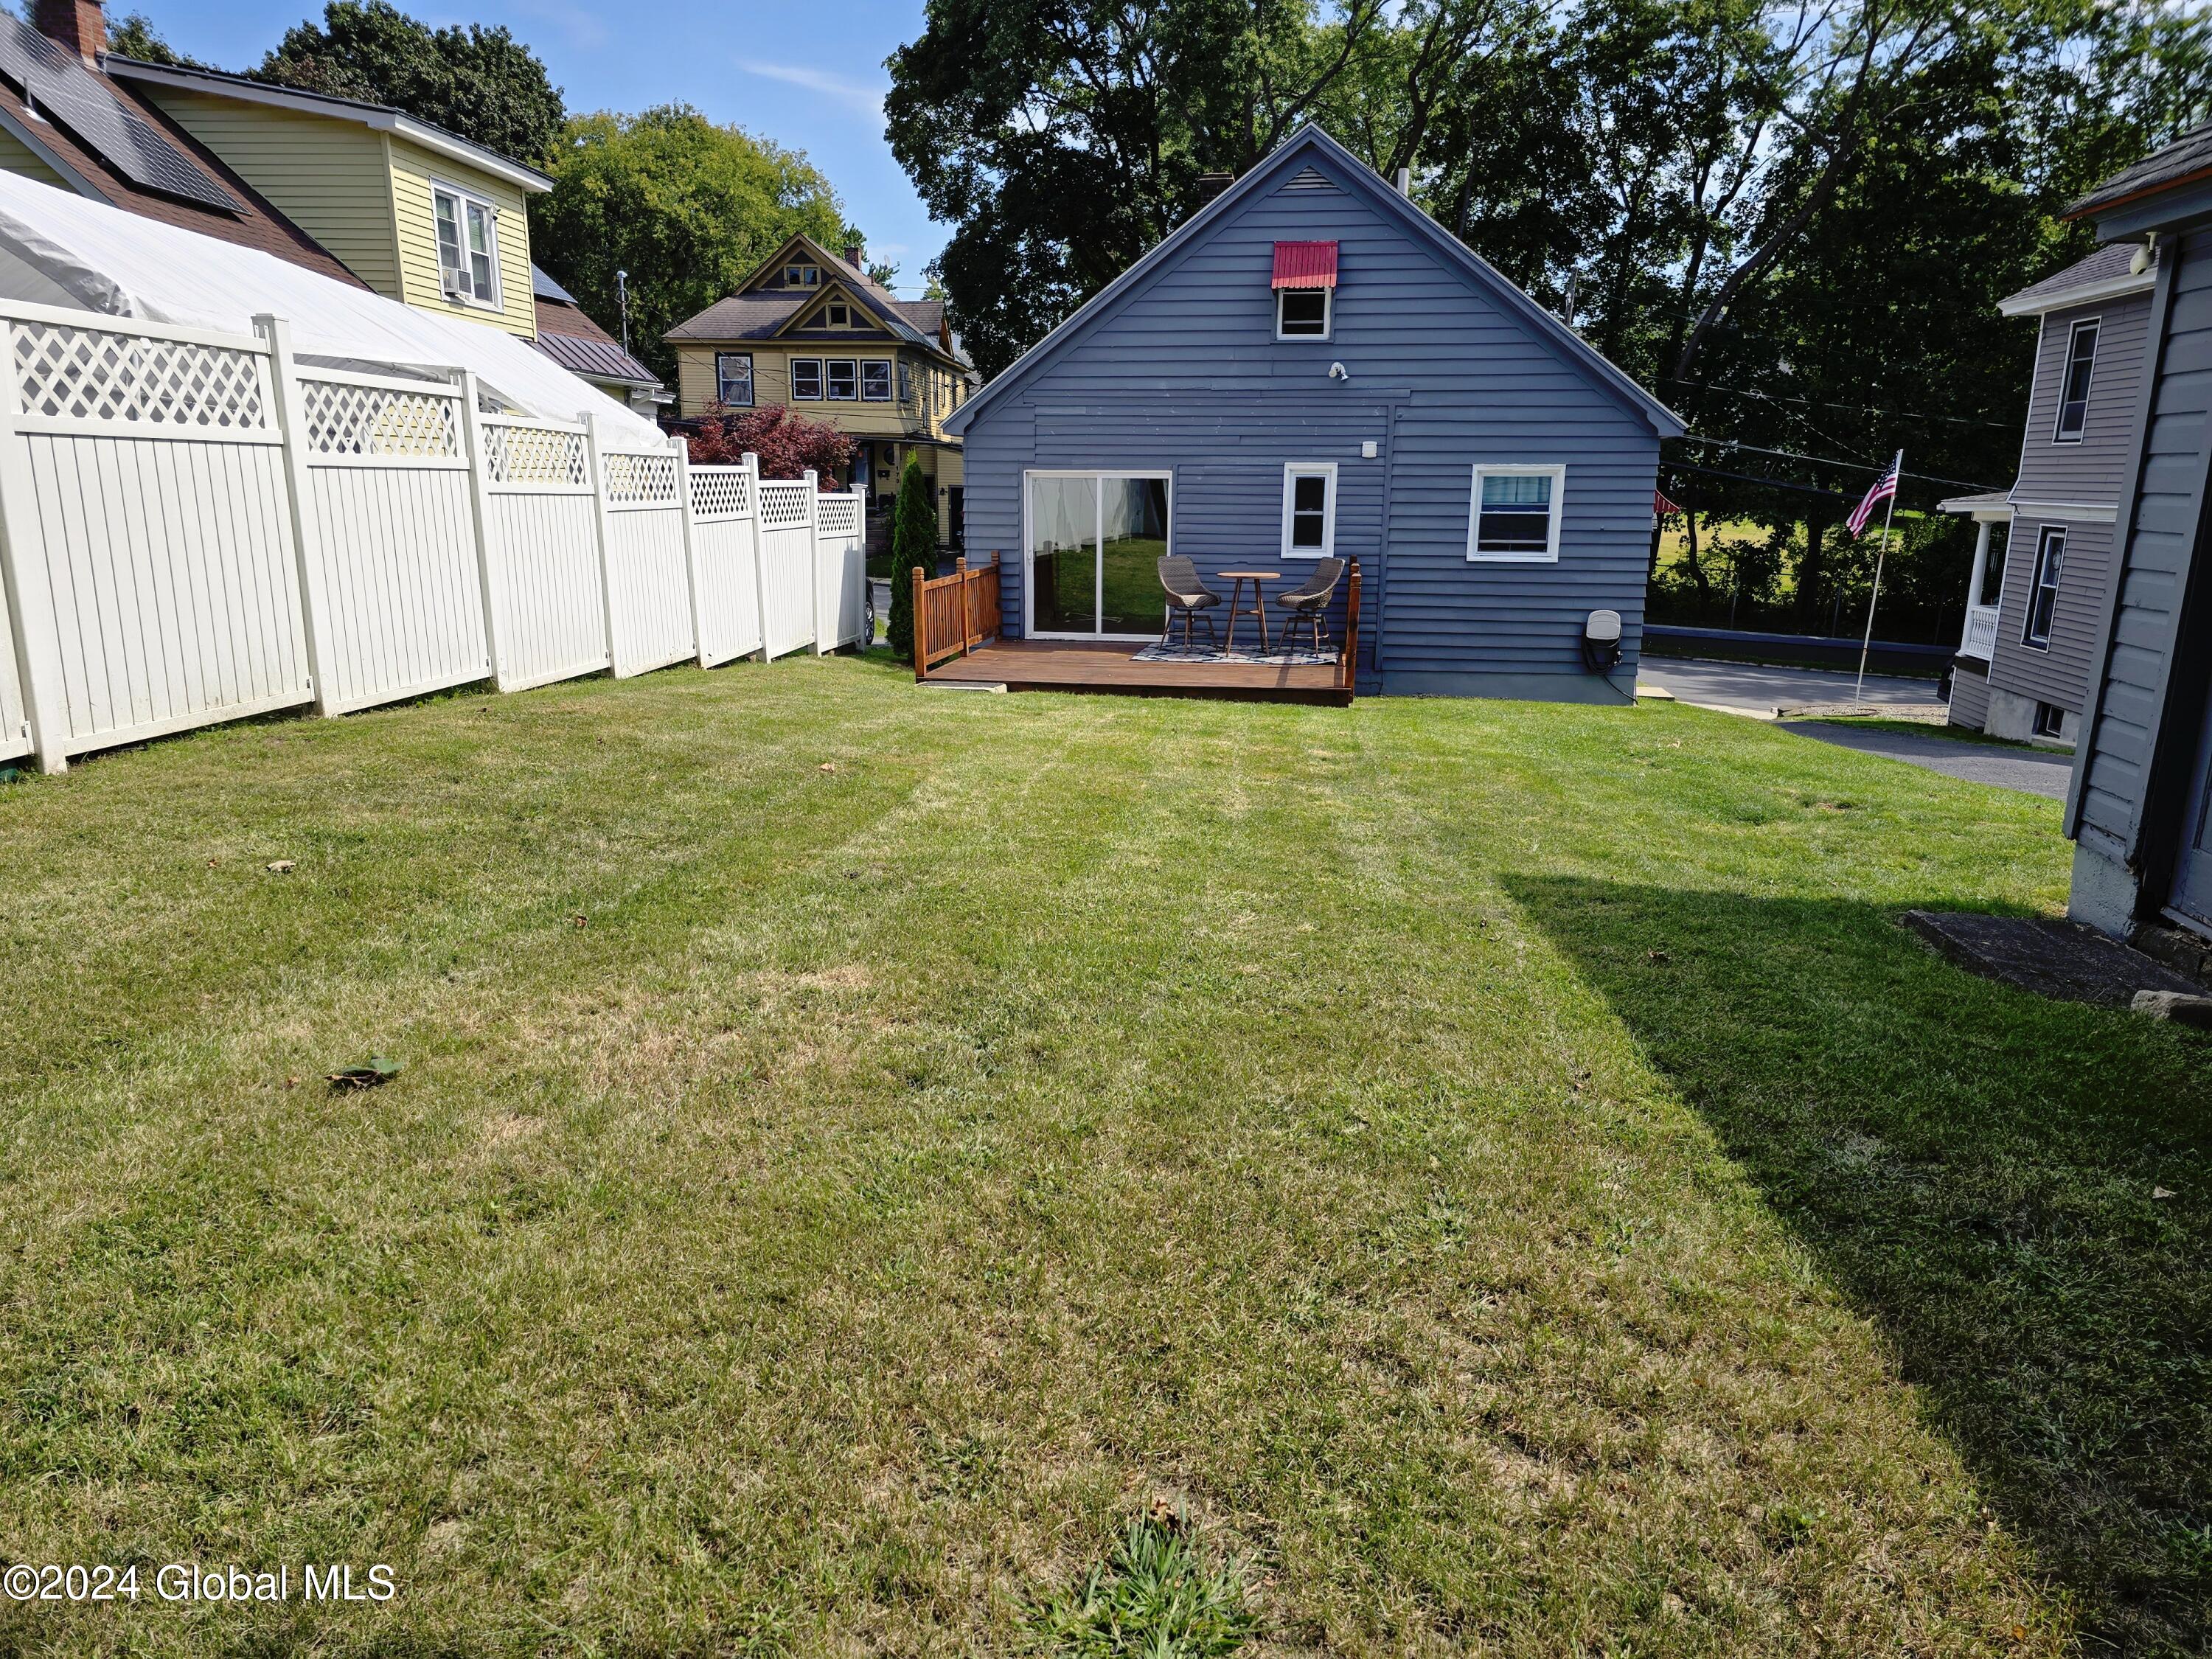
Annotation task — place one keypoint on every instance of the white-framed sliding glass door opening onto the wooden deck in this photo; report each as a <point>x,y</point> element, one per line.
<point>1094,554</point>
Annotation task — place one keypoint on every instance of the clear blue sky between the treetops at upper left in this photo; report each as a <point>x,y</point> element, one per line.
<point>804,76</point>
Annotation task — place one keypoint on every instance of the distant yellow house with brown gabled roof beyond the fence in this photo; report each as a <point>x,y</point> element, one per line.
<point>811,331</point>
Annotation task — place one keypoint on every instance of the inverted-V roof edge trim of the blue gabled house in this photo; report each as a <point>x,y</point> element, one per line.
<point>1361,180</point>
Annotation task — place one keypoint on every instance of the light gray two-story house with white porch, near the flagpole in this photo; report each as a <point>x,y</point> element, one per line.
<point>2045,547</point>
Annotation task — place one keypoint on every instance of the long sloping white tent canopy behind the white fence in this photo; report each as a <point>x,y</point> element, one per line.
<point>61,249</point>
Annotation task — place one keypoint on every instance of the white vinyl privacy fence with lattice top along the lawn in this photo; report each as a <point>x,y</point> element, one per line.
<point>196,528</point>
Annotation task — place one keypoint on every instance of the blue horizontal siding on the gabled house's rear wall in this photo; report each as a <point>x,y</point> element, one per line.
<point>1185,375</point>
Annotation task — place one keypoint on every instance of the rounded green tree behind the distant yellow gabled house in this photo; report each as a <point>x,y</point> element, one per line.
<point>678,202</point>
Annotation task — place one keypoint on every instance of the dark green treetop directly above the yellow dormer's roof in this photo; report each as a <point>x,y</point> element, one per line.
<point>472,81</point>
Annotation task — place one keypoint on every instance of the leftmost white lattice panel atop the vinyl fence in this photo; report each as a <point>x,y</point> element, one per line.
<point>90,375</point>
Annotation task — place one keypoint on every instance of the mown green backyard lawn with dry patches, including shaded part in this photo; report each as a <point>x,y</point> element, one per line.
<point>1501,1171</point>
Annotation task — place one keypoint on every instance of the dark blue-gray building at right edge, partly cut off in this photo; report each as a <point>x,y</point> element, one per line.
<point>2142,775</point>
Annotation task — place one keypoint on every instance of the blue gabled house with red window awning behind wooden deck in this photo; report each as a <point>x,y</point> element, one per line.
<point>1311,366</point>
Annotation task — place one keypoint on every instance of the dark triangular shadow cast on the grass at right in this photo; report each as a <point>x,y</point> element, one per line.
<point>1974,1169</point>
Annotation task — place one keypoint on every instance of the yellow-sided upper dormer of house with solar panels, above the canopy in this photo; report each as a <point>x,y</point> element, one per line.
<point>410,209</point>
